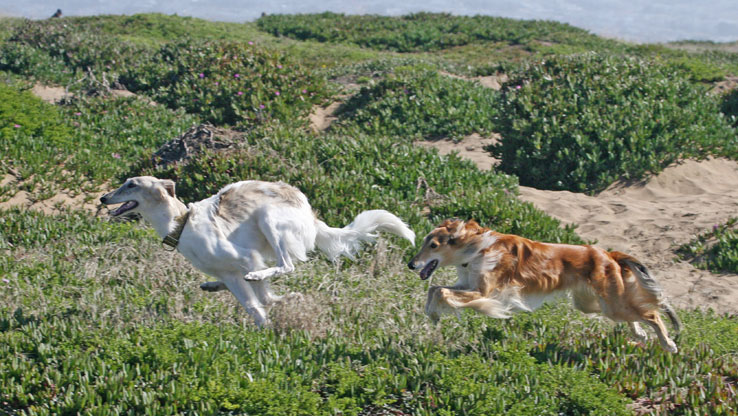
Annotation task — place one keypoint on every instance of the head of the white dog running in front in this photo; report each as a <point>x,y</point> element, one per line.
<point>141,195</point>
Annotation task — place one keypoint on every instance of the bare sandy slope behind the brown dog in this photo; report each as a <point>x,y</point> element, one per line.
<point>649,219</point>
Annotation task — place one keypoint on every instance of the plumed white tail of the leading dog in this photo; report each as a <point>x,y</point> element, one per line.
<point>347,241</point>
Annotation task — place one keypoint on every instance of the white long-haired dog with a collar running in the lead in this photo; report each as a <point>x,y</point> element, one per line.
<point>232,234</point>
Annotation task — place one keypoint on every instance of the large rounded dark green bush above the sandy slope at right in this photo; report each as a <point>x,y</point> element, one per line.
<point>581,122</point>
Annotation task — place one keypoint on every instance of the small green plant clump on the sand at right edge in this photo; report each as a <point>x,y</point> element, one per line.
<point>715,250</point>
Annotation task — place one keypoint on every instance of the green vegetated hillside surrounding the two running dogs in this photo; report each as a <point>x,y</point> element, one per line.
<point>96,318</point>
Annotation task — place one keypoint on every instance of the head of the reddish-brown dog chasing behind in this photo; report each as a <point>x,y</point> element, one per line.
<point>453,243</point>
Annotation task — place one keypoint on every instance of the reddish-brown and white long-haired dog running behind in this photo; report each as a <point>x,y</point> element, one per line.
<point>499,274</point>
